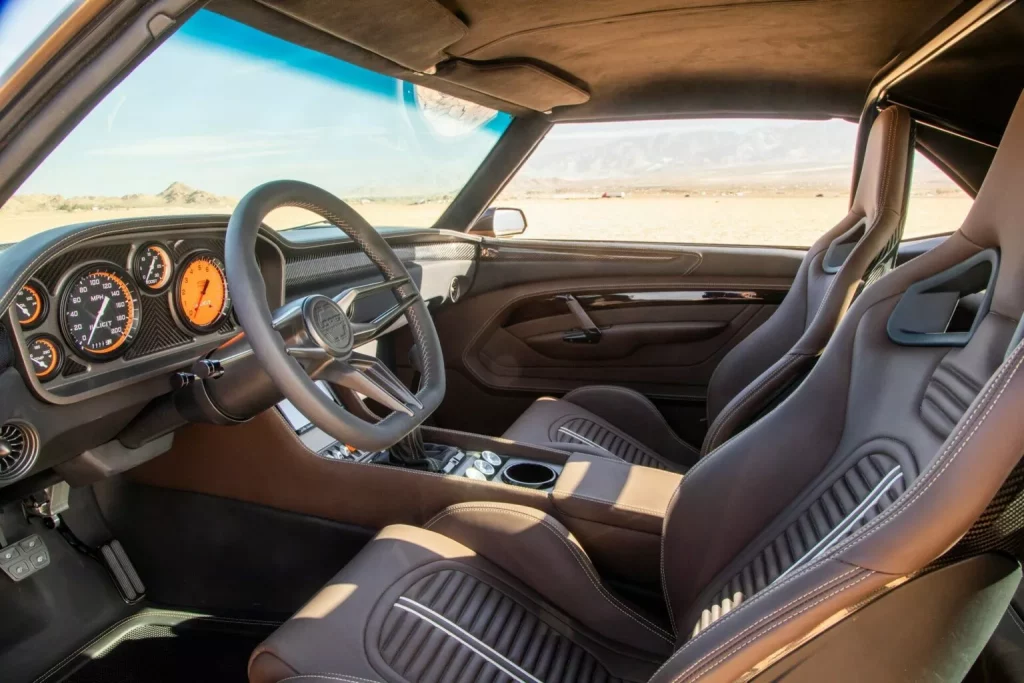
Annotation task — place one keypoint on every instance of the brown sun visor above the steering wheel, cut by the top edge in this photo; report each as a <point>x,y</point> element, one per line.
<point>411,33</point>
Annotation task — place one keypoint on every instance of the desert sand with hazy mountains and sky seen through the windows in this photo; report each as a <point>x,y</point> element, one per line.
<point>772,186</point>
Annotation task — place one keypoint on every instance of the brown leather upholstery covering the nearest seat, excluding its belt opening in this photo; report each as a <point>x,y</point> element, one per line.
<point>860,480</point>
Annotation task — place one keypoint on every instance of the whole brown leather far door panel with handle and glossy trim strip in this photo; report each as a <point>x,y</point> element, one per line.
<point>667,317</point>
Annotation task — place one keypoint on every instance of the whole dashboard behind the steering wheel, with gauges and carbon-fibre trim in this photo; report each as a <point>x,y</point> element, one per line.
<point>103,317</point>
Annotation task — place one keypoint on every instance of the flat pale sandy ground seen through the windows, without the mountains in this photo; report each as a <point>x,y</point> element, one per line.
<point>795,219</point>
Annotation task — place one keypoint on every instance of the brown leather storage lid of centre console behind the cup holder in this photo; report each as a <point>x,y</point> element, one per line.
<point>614,493</point>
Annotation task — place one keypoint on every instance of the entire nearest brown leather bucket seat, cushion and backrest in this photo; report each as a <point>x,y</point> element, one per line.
<point>901,448</point>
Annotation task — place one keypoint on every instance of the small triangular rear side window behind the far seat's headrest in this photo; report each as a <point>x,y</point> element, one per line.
<point>937,205</point>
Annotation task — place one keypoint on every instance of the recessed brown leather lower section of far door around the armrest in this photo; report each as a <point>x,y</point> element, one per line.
<point>666,351</point>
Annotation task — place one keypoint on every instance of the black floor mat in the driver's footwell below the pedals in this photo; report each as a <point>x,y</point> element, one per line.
<point>160,647</point>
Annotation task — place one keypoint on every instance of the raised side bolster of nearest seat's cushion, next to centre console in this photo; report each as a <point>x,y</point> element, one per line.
<point>540,551</point>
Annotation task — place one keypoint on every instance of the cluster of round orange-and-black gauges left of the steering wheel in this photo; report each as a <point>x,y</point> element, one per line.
<point>99,306</point>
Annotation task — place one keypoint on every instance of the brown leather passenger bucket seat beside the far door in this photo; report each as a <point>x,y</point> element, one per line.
<point>616,421</point>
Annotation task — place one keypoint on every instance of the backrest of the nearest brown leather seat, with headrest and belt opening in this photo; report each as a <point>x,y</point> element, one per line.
<point>876,465</point>
